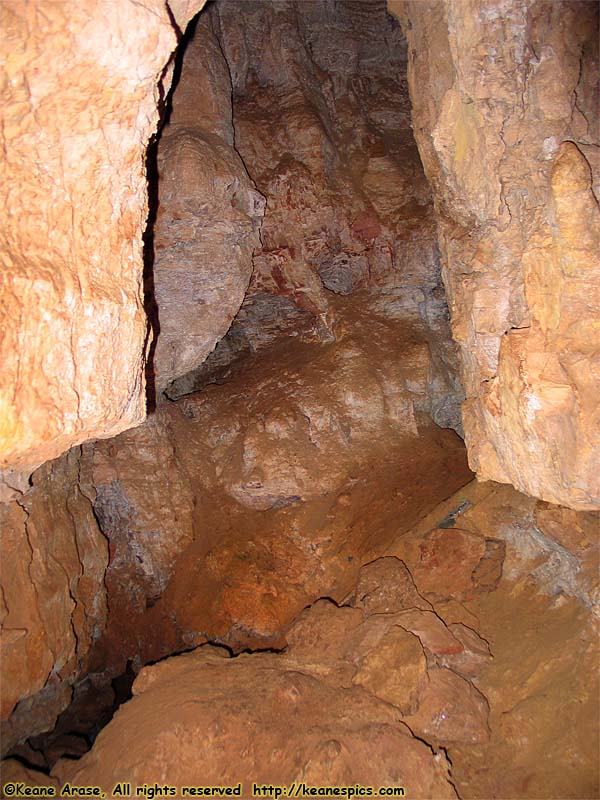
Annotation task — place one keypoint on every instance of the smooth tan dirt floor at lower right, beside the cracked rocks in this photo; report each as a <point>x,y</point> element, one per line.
<point>541,622</point>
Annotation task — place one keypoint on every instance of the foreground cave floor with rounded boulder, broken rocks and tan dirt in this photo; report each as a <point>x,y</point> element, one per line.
<point>477,567</point>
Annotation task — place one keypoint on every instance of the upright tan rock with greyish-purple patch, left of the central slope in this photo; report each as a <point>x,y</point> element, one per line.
<point>144,505</point>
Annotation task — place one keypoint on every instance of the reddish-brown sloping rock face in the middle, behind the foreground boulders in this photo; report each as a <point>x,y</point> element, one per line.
<point>269,492</point>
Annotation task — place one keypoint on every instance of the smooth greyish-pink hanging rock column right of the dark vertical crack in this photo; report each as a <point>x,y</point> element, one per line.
<point>208,218</point>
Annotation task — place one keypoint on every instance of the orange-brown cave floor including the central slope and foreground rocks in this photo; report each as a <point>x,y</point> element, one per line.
<point>458,621</point>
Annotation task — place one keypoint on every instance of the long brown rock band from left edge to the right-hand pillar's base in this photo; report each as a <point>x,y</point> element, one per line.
<point>219,518</point>
